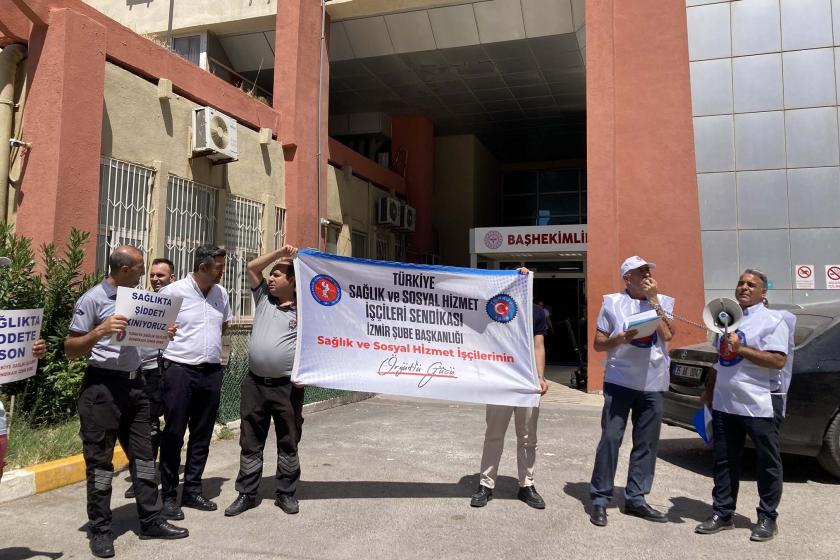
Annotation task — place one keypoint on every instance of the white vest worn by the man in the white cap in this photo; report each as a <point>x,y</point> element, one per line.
<point>643,363</point>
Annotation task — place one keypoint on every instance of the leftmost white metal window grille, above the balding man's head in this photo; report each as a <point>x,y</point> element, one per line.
<point>124,207</point>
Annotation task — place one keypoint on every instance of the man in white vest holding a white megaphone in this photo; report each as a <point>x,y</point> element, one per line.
<point>747,394</point>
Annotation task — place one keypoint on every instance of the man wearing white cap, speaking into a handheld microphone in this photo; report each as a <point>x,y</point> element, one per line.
<point>635,376</point>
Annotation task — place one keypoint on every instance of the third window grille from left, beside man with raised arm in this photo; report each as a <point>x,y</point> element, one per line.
<point>243,241</point>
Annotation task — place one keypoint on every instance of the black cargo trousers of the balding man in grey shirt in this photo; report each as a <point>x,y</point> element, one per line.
<point>113,407</point>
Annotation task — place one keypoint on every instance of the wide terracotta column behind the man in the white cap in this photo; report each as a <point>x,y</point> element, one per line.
<point>642,184</point>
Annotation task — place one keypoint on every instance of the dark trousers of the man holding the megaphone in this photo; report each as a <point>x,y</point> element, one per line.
<point>729,431</point>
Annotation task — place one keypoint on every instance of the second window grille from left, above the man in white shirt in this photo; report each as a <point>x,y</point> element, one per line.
<point>190,221</point>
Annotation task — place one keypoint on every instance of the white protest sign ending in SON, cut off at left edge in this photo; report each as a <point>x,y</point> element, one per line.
<point>19,329</point>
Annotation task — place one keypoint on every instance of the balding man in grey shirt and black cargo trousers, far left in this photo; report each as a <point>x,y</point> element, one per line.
<point>113,406</point>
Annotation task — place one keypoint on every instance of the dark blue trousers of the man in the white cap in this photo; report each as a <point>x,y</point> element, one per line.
<point>645,410</point>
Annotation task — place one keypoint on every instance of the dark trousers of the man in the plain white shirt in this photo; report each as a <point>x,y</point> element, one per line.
<point>190,399</point>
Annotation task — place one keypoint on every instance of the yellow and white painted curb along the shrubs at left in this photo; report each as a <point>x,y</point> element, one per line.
<point>28,481</point>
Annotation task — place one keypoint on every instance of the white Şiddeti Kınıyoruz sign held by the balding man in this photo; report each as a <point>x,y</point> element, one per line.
<point>149,314</point>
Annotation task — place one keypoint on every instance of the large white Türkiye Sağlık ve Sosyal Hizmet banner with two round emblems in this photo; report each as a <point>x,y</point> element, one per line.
<point>423,331</point>
